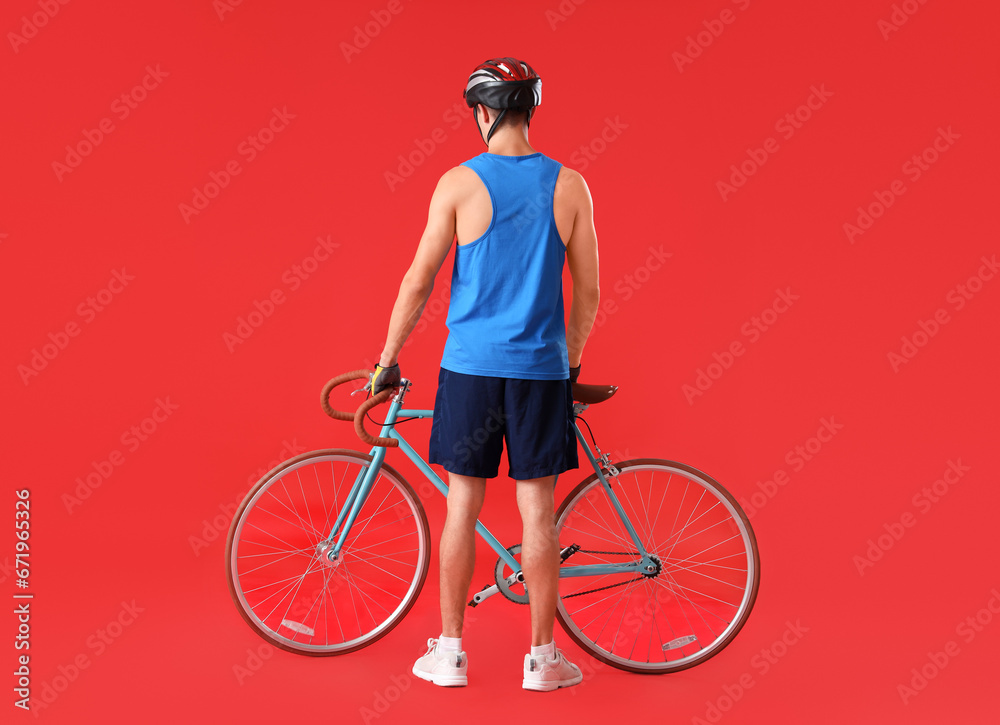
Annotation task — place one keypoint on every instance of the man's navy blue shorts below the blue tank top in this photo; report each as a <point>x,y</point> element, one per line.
<point>474,414</point>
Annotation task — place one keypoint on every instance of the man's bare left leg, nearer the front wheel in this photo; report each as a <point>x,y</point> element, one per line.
<point>458,549</point>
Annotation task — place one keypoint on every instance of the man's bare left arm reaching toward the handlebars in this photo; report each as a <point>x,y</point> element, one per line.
<point>419,279</point>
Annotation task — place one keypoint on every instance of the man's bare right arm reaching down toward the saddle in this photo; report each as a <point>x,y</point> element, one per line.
<point>582,258</point>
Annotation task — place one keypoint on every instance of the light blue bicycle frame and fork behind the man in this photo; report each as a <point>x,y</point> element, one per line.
<point>368,474</point>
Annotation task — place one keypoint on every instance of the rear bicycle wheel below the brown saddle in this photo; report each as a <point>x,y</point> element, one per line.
<point>705,574</point>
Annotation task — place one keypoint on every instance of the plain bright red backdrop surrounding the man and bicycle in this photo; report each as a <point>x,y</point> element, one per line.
<point>135,537</point>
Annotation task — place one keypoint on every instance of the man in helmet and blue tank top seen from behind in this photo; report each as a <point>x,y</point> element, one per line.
<point>510,356</point>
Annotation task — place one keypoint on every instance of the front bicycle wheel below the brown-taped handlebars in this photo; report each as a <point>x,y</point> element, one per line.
<point>274,537</point>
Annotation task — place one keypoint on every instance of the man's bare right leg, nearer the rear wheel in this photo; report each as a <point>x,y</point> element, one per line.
<point>539,554</point>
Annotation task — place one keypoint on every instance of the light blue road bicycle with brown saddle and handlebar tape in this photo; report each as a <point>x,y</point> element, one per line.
<point>330,549</point>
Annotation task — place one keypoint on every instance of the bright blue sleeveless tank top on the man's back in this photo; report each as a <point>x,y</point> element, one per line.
<point>505,318</point>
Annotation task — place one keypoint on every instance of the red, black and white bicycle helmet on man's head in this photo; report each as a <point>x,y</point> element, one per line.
<point>505,84</point>
